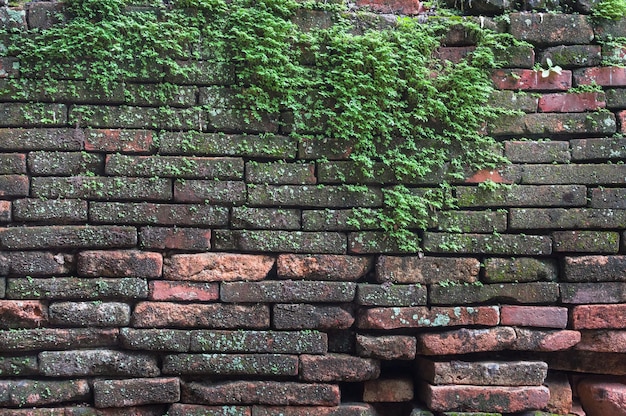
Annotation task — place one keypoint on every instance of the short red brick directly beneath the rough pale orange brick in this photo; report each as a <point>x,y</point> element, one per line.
<point>183,291</point>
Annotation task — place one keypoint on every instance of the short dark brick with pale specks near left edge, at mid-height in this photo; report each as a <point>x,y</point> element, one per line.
<point>57,211</point>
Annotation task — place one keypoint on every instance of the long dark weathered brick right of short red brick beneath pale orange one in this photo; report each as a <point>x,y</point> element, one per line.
<point>288,291</point>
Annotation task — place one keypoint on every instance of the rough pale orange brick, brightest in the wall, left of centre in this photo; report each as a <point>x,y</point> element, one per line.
<point>217,267</point>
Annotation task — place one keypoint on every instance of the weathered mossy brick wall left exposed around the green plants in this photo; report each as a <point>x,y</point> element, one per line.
<point>132,284</point>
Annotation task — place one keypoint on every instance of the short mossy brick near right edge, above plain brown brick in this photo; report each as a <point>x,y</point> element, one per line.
<point>586,241</point>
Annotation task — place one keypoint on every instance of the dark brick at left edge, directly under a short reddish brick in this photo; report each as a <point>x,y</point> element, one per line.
<point>52,339</point>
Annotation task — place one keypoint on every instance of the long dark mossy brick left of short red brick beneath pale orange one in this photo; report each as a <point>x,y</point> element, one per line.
<point>71,288</point>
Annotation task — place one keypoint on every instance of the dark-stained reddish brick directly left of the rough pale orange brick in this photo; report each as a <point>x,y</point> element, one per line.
<point>120,263</point>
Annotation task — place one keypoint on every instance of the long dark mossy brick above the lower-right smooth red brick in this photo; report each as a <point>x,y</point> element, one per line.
<point>524,293</point>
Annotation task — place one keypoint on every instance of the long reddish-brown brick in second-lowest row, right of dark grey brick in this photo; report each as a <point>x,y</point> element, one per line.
<point>274,393</point>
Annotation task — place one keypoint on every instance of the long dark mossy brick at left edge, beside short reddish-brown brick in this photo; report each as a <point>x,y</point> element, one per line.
<point>68,236</point>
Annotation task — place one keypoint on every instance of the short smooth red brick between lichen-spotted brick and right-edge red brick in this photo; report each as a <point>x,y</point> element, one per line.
<point>534,316</point>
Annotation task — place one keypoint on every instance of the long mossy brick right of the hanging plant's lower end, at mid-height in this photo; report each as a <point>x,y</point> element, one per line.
<point>523,195</point>
